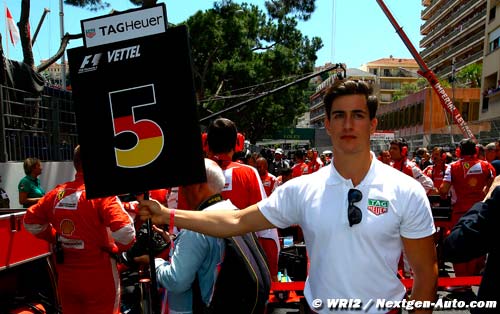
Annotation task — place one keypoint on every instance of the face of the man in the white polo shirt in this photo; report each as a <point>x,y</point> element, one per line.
<point>349,124</point>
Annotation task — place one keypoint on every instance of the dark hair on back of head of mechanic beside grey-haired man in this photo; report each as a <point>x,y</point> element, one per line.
<point>221,136</point>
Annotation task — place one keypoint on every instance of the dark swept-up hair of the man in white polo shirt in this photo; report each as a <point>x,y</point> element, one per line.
<point>349,87</point>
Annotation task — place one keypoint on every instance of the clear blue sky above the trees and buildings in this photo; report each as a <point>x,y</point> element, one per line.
<point>353,31</point>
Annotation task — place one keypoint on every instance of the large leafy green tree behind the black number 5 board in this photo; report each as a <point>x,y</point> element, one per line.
<point>239,52</point>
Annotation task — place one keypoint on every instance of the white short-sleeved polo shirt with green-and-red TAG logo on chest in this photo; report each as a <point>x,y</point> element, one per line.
<point>358,262</point>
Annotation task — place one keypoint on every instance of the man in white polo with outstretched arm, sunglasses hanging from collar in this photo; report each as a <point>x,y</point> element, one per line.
<point>356,214</point>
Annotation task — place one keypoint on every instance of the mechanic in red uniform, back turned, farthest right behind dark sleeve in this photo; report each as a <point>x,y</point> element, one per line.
<point>471,178</point>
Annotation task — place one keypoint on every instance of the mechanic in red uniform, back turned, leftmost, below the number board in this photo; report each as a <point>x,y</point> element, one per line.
<point>87,234</point>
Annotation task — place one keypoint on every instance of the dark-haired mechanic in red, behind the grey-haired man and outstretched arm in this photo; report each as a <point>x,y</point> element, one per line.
<point>243,184</point>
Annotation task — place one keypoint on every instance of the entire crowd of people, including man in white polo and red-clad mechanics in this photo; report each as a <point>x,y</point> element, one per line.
<point>362,216</point>
